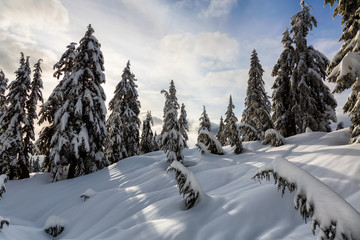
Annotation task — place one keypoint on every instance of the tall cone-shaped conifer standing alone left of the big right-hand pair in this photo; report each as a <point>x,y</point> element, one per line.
<point>257,104</point>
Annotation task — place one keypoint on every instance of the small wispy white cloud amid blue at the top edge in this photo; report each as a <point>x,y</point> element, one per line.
<point>217,8</point>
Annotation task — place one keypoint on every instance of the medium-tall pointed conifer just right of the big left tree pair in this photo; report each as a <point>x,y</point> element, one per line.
<point>124,104</point>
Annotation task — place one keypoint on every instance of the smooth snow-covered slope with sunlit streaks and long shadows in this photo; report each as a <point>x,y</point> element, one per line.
<point>136,199</point>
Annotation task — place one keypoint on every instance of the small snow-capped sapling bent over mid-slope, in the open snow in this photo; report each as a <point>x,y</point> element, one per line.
<point>187,183</point>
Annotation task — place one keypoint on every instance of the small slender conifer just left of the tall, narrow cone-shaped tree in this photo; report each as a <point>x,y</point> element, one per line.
<point>231,132</point>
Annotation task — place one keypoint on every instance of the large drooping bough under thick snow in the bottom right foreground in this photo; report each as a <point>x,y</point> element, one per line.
<point>335,217</point>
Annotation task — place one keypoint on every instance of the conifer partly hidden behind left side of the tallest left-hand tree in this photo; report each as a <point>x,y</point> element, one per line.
<point>56,100</point>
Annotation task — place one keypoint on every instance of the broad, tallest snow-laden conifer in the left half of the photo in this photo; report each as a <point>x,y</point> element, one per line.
<point>78,141</point>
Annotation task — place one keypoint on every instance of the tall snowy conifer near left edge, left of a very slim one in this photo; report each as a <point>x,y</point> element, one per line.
<point>14,157</point>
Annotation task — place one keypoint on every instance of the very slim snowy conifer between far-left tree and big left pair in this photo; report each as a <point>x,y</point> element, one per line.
<point>31,105</point>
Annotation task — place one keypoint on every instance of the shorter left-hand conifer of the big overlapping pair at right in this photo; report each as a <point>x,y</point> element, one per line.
<point>282,95</point>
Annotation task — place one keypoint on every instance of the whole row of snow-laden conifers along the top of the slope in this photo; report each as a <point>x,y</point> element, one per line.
<point>78,138</point>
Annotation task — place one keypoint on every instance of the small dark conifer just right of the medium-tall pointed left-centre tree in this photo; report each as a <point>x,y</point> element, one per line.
<point>147,143</point>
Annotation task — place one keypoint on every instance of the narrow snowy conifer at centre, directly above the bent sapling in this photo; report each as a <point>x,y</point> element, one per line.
<point>172,141</point>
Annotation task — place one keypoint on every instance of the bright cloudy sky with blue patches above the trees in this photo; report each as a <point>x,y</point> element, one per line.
<point>203,45</point>
